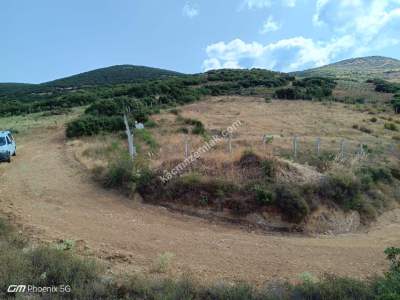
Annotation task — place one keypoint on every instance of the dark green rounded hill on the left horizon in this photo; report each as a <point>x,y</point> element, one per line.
<point>112,75</point>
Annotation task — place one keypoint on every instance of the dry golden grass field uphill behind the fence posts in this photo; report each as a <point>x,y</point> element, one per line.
<point>281,119</point>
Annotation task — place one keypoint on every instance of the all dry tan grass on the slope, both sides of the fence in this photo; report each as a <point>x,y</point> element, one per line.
<point>332,122</point>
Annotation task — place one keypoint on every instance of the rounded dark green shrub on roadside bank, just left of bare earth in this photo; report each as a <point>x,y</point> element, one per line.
<point>292,205</point>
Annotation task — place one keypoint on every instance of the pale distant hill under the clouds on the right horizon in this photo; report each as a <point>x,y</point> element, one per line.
<point>358,68</point>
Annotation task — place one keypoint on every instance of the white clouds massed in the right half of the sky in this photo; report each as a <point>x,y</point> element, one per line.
<point>353,27</point>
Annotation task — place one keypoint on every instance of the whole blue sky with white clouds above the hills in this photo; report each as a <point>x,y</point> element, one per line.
<point>42,40</point>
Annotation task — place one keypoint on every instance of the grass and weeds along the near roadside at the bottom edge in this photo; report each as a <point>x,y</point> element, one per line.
<point>47,266</point>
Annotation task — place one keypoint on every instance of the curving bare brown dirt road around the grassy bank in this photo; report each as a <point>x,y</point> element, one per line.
<point>52,198</point>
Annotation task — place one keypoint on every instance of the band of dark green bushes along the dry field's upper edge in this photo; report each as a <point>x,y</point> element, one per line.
<point>147,98</point>
